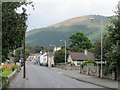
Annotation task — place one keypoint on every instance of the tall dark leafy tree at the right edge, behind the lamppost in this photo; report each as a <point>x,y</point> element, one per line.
<point>113,51</point>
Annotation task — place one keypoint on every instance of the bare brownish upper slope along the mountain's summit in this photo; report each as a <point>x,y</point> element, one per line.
<point>85,20</point>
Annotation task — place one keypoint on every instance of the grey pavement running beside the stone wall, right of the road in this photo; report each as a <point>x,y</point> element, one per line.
<point>89,79</point>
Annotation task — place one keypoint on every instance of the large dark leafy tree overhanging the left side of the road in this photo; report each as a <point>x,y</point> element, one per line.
<point>13,27</point>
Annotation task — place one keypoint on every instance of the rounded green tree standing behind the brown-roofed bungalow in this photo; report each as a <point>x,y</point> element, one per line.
<point>80,41</point>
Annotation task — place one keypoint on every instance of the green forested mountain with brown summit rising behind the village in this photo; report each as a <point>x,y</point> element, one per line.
<point>90,25</point>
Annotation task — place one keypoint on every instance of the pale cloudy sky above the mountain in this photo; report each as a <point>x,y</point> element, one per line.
<point>48,12</point>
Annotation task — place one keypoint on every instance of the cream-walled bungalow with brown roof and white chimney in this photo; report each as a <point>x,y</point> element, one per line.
<point>78,57</point>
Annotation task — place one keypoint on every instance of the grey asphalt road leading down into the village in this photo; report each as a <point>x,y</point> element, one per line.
<point>43,77</point>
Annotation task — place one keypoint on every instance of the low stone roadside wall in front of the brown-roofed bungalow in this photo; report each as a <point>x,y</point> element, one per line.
<point>88,70</point>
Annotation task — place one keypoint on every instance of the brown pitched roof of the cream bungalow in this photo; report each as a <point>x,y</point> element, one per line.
<point>81,56</point>
